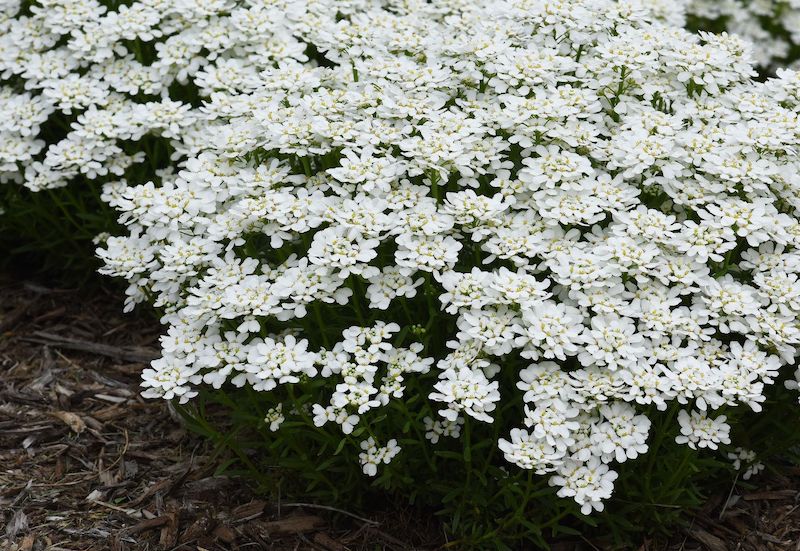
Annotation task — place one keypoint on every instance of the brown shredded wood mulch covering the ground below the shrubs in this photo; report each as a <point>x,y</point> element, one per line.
<point>88,465</point>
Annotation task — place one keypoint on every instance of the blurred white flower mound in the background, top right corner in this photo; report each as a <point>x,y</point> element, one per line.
<point>773,26</point>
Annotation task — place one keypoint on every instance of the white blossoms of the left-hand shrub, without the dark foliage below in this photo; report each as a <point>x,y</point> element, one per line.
<point>91,66</point>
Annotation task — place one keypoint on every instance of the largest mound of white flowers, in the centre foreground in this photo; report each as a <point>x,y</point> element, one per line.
<point>545,215</point>
